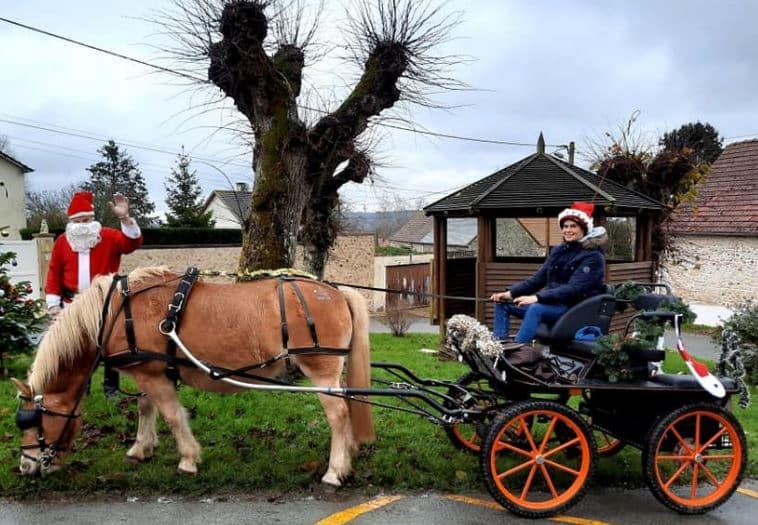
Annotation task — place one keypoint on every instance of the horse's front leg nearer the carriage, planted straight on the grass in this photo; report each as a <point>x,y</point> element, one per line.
<point>163,394</point>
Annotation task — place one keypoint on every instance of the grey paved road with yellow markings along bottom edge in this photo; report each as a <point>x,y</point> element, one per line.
<point>601,506</point>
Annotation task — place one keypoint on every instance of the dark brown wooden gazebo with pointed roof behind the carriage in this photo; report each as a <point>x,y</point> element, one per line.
<point>540,185</point>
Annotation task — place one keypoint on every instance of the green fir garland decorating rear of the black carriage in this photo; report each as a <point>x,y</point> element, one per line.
<point>615,353</point>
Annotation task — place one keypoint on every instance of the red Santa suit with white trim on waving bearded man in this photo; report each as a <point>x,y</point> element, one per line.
<point>71,272</point>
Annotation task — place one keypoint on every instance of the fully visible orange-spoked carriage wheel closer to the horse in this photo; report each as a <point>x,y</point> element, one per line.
<point>538,458</point>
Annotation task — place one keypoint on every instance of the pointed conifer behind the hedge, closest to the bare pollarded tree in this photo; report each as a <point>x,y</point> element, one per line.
<point>183,197</point>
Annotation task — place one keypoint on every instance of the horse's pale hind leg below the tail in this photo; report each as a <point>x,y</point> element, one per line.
<point>338,415</point>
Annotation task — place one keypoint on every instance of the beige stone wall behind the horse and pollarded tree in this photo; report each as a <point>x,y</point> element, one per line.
<point>350,261</point>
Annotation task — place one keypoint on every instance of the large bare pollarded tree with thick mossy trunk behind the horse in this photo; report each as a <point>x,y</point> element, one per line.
<point>257,51</point>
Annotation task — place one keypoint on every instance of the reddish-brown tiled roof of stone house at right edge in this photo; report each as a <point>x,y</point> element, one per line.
<point>727,201</point>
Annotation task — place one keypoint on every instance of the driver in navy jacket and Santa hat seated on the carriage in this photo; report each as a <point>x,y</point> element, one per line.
<point>574,271</point>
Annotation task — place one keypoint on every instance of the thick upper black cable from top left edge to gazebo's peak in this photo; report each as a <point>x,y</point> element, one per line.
<point>205,81</point>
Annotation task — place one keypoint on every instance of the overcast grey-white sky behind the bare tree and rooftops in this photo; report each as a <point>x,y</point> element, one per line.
<point>569,69</point>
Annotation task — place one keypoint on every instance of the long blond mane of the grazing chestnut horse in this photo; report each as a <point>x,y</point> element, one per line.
<point>75,330</point>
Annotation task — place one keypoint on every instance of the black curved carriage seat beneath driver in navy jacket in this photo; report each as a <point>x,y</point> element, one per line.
<point>593,311</point>
